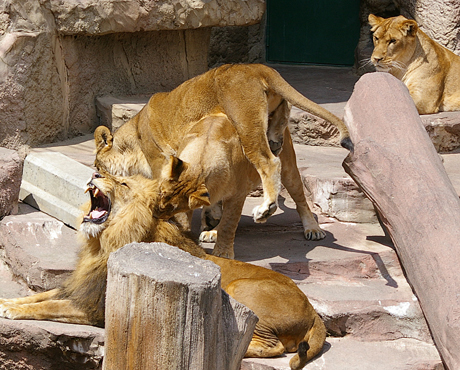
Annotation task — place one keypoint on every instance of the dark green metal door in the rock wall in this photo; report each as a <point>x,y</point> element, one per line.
<point>312,32</point>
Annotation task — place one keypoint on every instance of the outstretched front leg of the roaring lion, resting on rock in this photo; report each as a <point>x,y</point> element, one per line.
<point>54,310</point>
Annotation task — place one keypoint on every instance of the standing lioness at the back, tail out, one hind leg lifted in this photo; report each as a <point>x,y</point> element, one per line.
<point>246,94</point>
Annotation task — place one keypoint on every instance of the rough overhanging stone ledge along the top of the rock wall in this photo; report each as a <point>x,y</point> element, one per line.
<point>99,17</point>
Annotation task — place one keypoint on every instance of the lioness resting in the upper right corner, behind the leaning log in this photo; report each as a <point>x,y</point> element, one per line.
<point>430,71</point>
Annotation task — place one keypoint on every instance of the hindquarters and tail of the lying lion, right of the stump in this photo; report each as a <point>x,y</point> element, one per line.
<point>287,320</point>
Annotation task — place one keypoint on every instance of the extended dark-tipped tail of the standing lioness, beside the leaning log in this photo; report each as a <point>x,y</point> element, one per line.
<point>283,88</point>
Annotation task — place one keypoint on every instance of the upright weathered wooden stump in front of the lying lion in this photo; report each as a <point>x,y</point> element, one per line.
<point>165,310</point>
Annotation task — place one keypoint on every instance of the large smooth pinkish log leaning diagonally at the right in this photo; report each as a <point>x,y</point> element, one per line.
<point>397,167</point>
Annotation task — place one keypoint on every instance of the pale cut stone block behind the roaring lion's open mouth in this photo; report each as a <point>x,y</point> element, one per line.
<point>55,184</point>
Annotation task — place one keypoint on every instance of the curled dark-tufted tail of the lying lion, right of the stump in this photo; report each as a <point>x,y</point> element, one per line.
<point>311,346</point>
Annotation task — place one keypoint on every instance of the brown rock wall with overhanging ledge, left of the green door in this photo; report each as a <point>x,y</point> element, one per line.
<point>56,57</point>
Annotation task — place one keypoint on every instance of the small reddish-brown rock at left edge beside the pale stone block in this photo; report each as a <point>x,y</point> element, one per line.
<point>10,180</point>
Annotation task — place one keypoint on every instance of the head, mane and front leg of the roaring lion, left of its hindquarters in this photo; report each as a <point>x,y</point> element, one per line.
<point>81,299</point>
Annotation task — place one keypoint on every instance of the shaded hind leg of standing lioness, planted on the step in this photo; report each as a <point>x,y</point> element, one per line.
<point>291,179</point>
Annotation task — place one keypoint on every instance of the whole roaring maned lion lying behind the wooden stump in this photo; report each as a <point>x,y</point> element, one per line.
<point>122,211</point>
